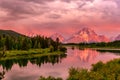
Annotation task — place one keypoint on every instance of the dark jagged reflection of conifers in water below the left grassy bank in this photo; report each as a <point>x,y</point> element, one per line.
<point>7,64</point>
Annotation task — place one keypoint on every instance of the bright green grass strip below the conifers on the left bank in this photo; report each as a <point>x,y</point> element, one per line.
<point>15,54</point>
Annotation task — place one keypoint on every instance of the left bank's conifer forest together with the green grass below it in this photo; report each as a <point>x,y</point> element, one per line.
<point>20,46</point>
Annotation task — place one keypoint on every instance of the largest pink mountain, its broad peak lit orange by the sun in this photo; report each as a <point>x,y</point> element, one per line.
<point>87,35</point>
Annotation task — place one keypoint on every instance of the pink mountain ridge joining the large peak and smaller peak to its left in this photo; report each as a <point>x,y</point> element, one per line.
<point>84,35</point>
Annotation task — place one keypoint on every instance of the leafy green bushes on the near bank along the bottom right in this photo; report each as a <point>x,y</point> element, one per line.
<point>99,71</point>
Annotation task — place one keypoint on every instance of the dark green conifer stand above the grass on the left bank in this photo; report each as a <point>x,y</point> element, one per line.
<point>25,43</point>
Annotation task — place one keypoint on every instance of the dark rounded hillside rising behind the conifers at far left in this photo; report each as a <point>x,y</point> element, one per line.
<point>10,33</point>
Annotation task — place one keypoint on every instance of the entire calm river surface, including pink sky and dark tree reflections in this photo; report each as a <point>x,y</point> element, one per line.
<point>57,66</point>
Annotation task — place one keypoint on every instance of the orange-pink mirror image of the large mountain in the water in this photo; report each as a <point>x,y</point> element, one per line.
<point>85,55</point>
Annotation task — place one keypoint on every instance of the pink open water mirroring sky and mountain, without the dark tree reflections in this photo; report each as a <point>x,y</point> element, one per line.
<point>75,58</point>
